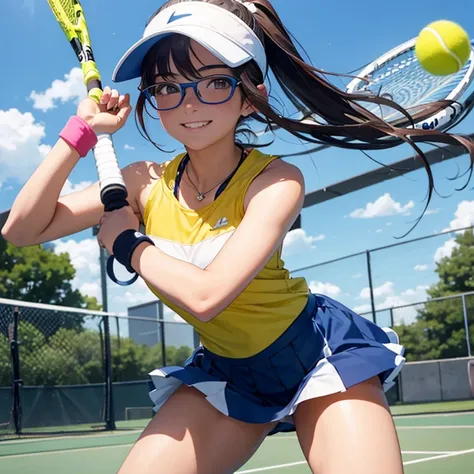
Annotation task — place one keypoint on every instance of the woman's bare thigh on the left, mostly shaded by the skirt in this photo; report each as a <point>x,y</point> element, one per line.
<point>189,436</point>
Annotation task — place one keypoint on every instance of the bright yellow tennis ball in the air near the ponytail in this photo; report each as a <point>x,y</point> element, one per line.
<point>443,48</point>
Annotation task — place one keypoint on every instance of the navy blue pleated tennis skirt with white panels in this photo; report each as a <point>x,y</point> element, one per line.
<point>326,350</point>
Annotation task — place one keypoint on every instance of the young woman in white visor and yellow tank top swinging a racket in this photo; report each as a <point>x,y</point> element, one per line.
<point>274,357</point>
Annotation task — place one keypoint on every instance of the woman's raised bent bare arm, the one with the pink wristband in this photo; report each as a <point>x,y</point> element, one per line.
<point>39,214</point>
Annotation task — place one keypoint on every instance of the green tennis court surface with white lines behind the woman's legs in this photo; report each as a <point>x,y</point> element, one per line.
<point>435,444</point>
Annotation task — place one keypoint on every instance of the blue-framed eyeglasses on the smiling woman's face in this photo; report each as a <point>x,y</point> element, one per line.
<point>209,90</point>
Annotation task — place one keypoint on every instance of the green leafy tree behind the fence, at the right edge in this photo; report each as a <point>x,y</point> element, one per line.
<point>439,331</point>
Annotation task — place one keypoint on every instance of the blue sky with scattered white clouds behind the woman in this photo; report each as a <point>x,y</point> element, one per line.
<point>41,87</point>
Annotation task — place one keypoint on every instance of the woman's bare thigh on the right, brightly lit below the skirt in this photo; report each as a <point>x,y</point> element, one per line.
<point>350,432</point>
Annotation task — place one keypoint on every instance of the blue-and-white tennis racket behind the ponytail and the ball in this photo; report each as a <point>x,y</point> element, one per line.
<point>398,75</point>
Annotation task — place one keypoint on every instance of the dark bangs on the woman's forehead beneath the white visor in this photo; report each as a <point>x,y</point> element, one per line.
<point>176,49</point>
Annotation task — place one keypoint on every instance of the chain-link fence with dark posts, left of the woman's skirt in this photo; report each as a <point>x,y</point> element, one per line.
<point>70,370</point>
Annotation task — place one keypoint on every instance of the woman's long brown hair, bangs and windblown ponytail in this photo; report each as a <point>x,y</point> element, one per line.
<point>341,119</point>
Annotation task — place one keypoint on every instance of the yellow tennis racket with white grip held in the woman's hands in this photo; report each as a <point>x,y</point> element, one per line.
<point>113,193</point>
